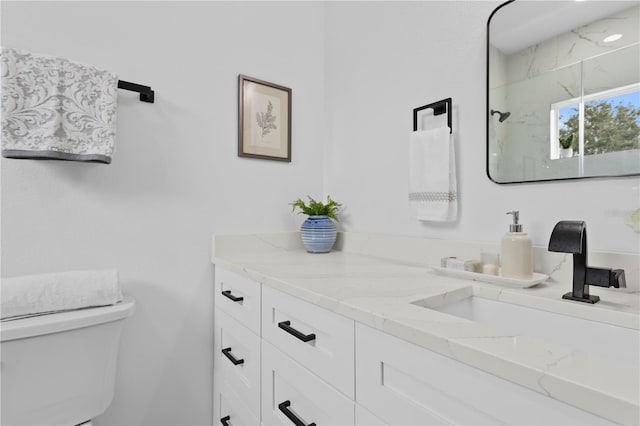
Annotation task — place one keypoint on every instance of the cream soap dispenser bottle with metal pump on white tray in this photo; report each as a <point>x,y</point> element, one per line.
<point>517,251</point>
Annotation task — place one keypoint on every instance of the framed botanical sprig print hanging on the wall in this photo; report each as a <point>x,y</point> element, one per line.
<point>264,120</point>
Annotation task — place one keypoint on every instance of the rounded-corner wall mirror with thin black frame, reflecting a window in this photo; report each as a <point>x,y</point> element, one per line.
<point>563,90</point>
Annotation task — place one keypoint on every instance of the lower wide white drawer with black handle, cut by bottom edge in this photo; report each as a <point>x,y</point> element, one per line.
<point>290,391</point>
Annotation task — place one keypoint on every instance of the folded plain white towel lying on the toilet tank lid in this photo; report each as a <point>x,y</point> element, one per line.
<point>30,295</point>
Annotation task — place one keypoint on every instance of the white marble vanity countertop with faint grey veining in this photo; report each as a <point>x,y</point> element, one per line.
<point>382,293</point>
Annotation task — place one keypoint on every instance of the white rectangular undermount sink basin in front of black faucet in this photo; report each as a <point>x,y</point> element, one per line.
<point>611,342</point>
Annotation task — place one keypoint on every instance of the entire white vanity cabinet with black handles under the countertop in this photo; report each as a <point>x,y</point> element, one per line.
<point>280,360</point>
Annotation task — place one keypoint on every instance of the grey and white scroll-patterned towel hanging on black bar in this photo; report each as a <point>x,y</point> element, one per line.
<point>55,108</point>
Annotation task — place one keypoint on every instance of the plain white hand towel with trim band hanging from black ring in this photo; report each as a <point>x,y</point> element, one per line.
<point>433,192</point>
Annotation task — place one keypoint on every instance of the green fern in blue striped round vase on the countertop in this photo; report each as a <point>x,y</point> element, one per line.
<point>318,230</point>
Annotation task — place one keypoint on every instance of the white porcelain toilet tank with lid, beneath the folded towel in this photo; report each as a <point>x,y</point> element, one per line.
<point>59,369</point>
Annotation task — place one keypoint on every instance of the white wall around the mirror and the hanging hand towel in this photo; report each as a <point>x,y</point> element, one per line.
<point>404,55</point>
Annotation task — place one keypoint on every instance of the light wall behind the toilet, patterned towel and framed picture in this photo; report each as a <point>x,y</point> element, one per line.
<point>175,177</point>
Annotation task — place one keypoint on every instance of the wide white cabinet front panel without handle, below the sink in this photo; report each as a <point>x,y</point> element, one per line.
<point>404,384</point>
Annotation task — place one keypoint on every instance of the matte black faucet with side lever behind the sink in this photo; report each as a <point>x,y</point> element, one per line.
<point>570,236</point>
